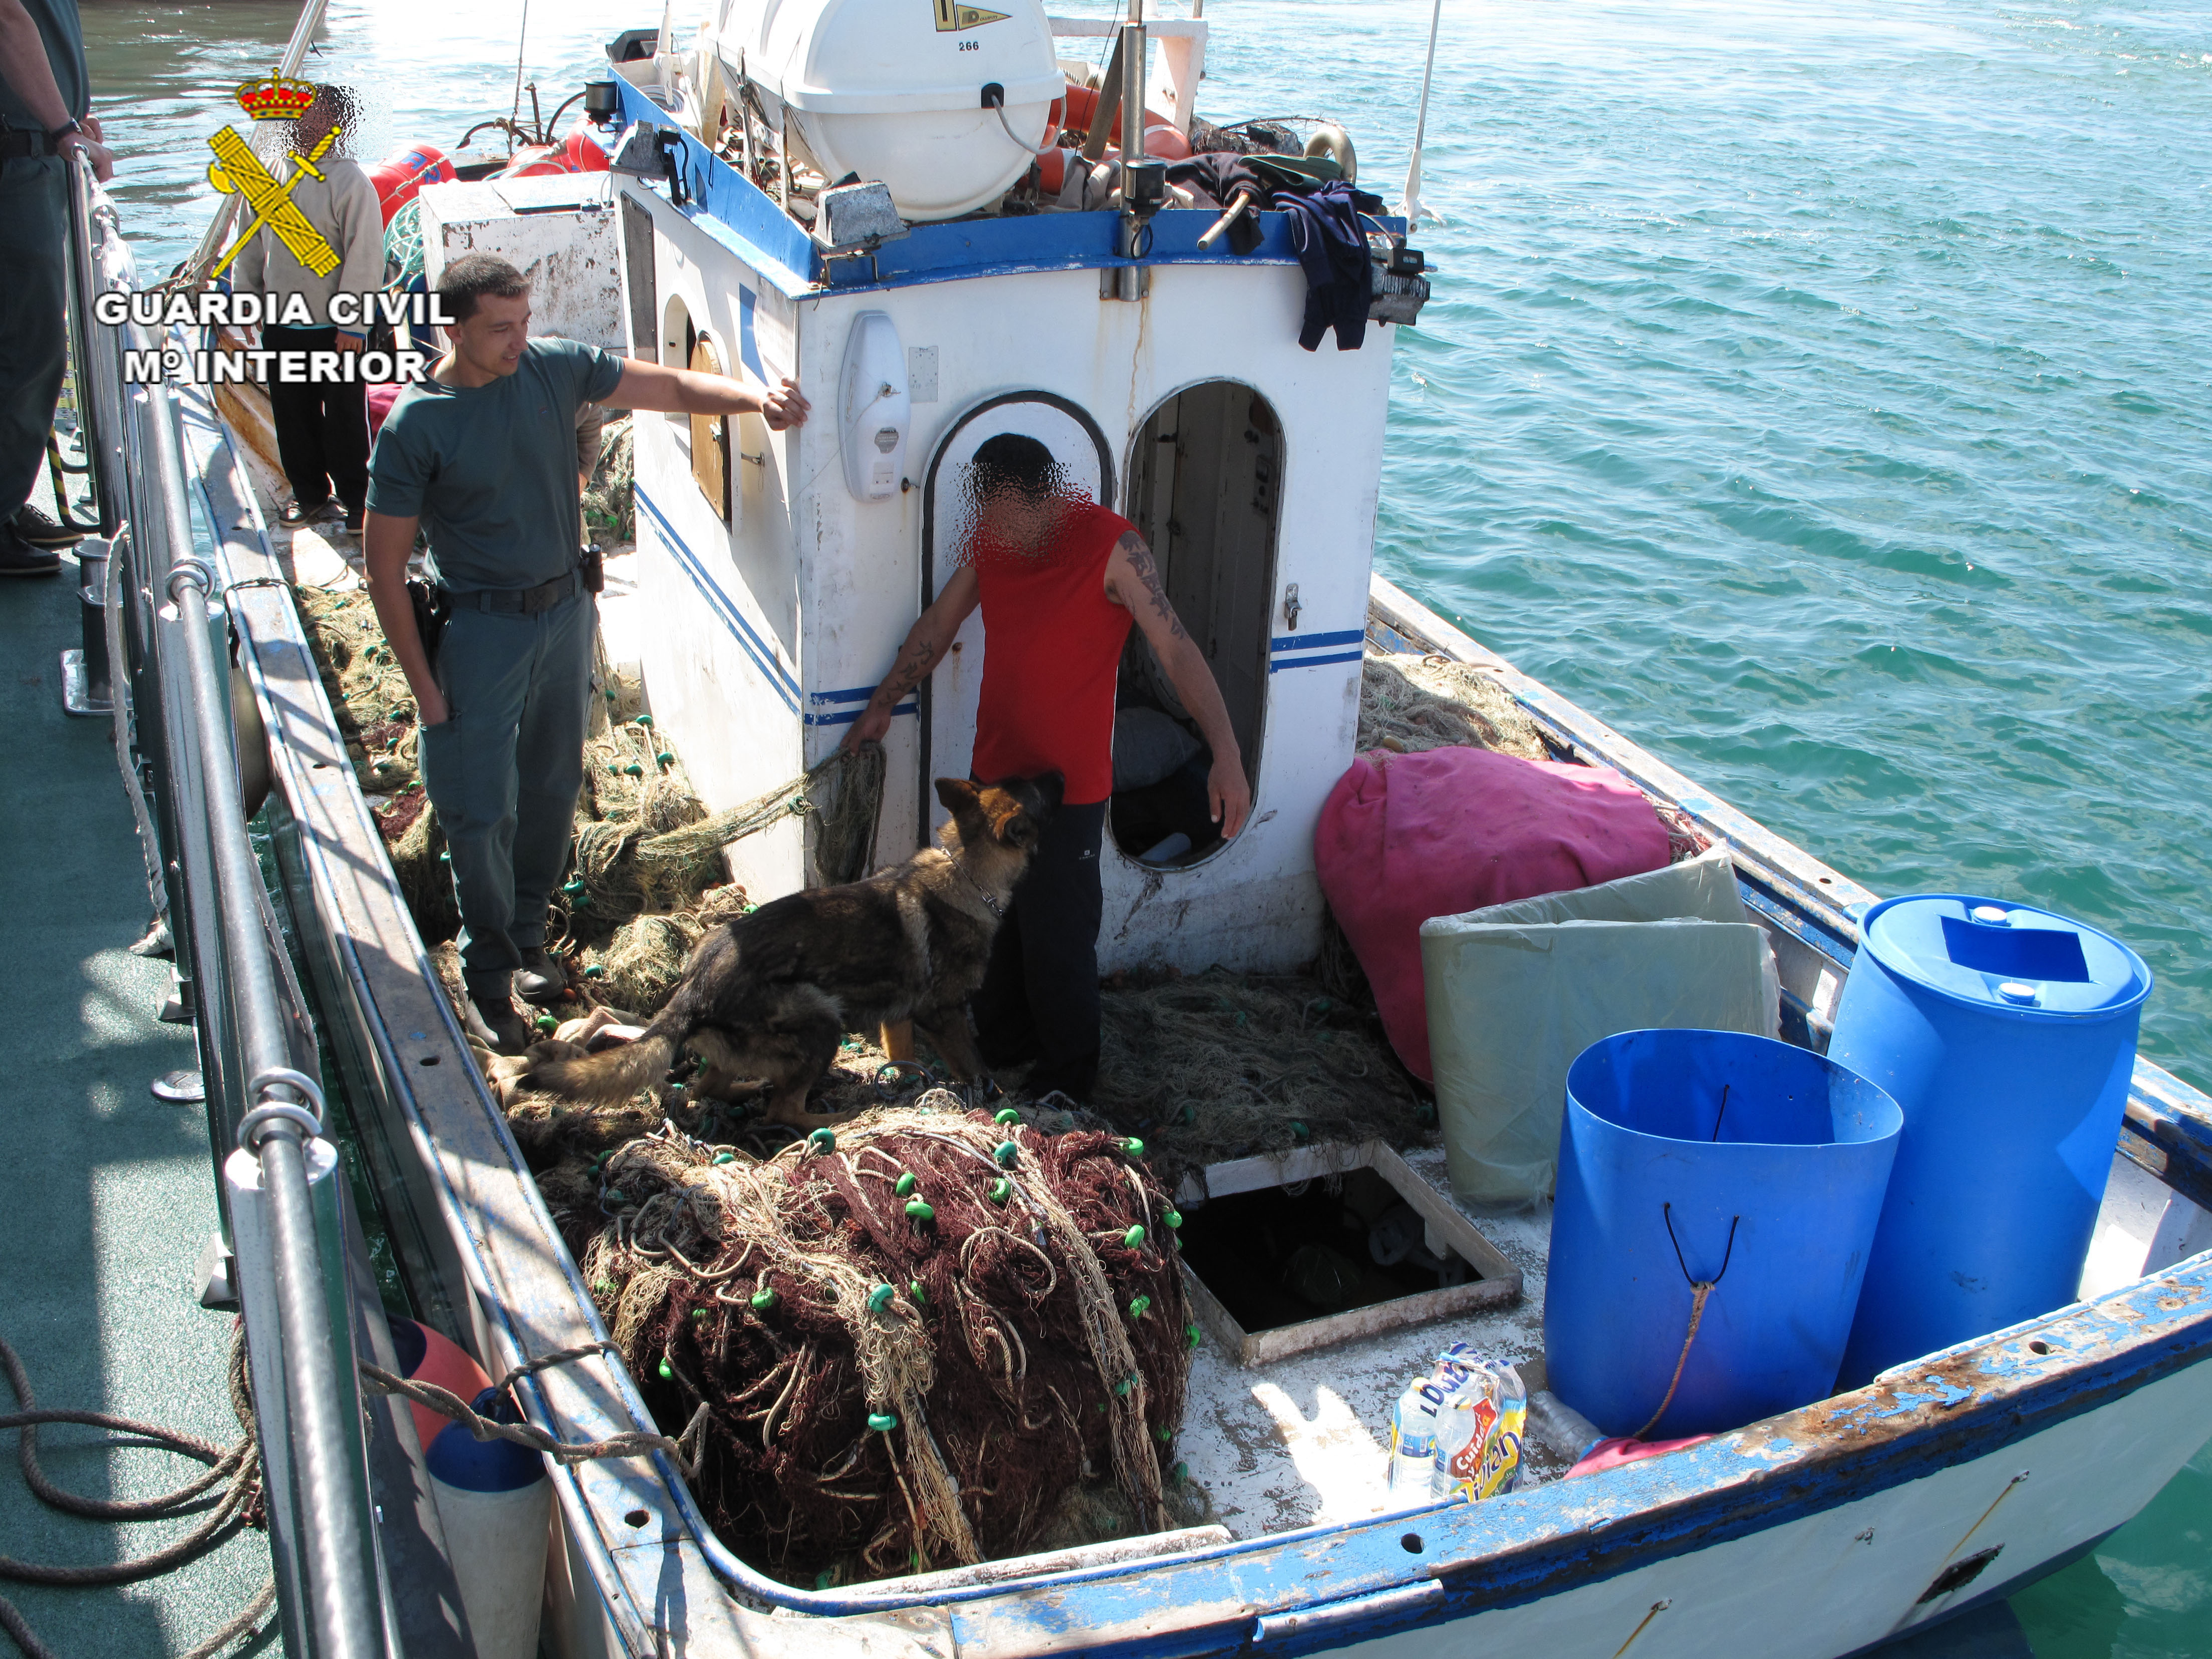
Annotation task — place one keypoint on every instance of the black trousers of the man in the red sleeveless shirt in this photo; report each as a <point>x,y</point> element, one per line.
<point>1041,994</point>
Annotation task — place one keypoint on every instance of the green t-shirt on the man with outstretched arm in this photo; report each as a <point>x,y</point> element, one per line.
<point>492,470</point>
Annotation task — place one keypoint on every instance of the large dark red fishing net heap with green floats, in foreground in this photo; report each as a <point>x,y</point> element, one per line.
<point>897,1348</point>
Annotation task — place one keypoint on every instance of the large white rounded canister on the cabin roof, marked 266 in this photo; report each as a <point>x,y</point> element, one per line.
<point>895,90</point>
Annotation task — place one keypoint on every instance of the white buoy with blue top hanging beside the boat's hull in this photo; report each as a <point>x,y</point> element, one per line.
<point>494,1503</point>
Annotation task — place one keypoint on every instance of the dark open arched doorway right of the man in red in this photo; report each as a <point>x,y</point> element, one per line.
<point>1204,492</point>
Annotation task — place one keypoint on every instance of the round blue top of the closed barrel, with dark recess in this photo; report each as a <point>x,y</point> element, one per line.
<point>2005,957</point>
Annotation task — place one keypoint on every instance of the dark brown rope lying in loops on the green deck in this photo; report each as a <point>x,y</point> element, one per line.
<point>236,1470</point>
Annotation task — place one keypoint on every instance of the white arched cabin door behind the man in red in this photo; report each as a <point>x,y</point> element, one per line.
<point>1087,466</point>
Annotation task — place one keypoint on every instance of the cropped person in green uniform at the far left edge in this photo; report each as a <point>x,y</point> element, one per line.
<point>45,101</point>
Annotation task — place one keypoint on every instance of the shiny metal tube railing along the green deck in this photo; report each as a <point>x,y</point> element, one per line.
<point>282,1187</point>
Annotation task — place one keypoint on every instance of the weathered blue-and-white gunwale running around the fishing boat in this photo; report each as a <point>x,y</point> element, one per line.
<point>2041,1390</point>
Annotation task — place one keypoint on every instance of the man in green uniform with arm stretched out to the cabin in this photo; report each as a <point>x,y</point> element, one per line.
<point>483,455</point>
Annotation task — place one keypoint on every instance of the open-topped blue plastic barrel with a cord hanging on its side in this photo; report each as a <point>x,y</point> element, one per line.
<point>1709,1158</point>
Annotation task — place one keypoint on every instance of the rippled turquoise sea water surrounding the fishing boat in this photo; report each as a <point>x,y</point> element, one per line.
<point>1815,393</point>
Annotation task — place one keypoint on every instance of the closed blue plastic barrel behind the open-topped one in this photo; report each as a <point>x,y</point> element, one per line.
<point>2007,1036</point>
